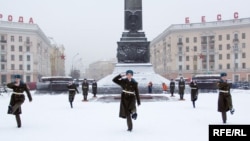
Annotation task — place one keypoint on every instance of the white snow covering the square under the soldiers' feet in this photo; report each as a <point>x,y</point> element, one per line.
<point>50,118</point>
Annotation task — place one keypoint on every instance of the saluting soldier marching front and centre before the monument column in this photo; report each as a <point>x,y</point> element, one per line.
<point>129,95</point>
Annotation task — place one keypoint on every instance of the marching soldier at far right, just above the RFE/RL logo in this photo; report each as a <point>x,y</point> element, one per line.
<point>225,98</point>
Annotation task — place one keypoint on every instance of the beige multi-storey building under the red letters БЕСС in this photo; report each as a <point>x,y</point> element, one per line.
<point>202,48</point>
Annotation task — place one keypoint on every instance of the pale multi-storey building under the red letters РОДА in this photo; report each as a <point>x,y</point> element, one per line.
<point>24,50</point>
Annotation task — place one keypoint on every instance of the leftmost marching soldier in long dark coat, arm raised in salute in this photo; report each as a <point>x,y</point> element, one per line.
<point>18,98</point>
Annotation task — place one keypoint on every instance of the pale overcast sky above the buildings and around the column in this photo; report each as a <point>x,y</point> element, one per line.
<point>93,27</point>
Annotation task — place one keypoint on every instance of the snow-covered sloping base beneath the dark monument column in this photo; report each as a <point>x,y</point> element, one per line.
<point>143,74</point>
